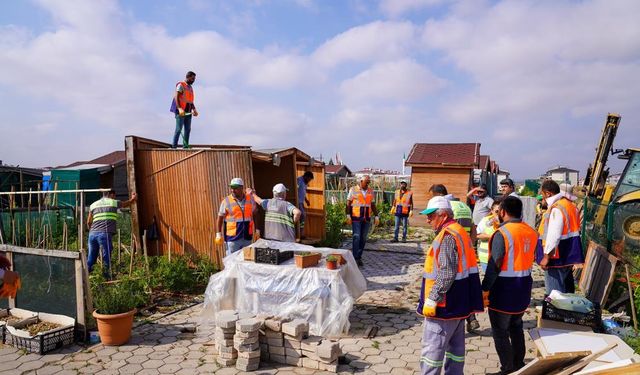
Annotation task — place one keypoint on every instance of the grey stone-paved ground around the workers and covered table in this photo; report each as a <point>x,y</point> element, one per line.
<point>392,271</point>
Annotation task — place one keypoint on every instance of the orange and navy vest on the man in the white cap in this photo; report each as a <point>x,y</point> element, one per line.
<point>465,295</point>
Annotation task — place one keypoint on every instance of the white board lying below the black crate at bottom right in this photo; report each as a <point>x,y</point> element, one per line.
<point>556,342</point>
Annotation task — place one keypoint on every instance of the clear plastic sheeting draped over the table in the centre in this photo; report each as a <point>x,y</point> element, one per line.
<point>321,296</point>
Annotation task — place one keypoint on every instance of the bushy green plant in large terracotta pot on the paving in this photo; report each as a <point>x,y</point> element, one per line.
<point>115,305</point>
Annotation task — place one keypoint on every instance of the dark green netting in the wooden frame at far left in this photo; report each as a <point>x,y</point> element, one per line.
<point>48,284</point>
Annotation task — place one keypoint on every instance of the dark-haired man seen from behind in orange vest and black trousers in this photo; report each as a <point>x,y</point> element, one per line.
<point>507,282</point>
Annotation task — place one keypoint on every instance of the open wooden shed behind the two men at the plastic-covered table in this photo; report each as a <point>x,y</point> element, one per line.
<point>273,166</point>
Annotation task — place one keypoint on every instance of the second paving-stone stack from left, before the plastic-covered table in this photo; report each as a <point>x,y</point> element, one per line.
<point>246,343</point>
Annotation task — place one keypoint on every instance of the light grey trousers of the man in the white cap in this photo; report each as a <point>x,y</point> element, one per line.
<point>442,346</point>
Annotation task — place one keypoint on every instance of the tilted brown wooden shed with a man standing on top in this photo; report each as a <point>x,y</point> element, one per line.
<point>181,190</point>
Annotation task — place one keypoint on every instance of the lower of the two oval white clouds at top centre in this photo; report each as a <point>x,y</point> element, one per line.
<point>402,80</point>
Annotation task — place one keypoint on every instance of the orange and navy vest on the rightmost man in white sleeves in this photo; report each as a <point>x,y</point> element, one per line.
<point>569,249</point>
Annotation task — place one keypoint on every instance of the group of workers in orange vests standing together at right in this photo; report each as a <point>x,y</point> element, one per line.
<point>452,291</point>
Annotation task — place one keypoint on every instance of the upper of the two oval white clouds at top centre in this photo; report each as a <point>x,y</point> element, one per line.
<point>376,41</point>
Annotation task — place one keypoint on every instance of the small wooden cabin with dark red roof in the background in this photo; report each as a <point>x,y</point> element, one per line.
<point>450,164</point>
